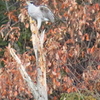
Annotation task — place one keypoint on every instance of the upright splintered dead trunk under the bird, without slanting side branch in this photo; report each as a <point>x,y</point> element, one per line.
<point>38,40</point>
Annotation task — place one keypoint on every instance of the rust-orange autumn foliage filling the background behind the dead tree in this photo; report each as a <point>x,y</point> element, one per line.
<point>72,49</point>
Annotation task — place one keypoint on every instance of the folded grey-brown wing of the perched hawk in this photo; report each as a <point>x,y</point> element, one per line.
<point>47,13</point>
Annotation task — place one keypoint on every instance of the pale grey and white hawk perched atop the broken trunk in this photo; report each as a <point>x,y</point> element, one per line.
<point>39,13</point>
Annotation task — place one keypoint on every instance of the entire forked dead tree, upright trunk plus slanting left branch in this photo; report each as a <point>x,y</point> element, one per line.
<point>38,89</point>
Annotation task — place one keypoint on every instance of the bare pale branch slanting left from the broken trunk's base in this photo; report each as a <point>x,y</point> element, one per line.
<point>24,74</point>
